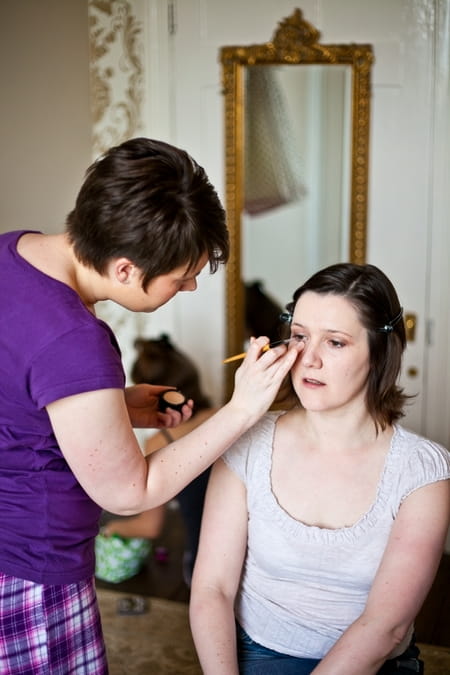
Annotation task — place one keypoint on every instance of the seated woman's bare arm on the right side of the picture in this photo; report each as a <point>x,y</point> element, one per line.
<point>400,587</point>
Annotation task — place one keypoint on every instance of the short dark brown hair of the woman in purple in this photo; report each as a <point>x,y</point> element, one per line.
<point>152,203</point>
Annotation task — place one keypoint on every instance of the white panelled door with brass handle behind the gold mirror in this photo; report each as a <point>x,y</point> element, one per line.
<point>401,161</point>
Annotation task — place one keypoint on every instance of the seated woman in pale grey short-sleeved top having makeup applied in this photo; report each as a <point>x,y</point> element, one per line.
<point>324,524</point>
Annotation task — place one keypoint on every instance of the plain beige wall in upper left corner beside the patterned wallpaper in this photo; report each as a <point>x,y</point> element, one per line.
<point>45,124</point>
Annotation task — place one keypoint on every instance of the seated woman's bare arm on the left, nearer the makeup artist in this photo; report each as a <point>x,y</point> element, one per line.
<point>223,543</point>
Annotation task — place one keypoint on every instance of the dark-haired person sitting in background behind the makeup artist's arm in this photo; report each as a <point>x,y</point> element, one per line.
<point>159,361</point>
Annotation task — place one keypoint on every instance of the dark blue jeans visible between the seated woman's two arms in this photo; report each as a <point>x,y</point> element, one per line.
<point>254,659</point>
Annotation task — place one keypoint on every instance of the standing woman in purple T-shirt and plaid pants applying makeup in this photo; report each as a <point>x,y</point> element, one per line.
<point>145,223</point>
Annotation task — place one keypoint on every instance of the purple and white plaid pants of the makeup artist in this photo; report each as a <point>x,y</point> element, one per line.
<point>50,630</point>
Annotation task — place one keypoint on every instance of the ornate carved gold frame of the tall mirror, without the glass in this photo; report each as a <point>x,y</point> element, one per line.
<point>294,42</point>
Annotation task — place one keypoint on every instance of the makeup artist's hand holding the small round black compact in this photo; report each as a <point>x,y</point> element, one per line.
<point>142,403</point>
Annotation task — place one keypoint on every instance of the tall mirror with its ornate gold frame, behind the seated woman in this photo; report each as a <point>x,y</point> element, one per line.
<point>296,152</point>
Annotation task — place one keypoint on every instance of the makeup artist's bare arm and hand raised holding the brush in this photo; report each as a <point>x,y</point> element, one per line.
<point>95,435</point>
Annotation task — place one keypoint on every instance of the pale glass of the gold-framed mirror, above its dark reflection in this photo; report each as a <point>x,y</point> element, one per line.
<point>297,165</point>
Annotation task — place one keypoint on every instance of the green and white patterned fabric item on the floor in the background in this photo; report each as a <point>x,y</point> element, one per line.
<point>119,558</point>
